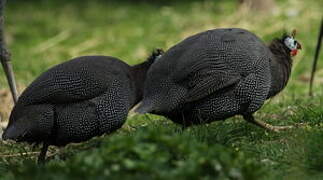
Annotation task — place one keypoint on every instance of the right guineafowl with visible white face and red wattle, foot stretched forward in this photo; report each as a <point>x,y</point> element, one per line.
<point>217,74</point>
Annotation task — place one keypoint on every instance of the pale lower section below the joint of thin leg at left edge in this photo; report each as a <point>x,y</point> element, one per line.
<point>6,64</point>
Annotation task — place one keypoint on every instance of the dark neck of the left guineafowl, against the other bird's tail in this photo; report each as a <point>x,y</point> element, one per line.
<point>139,73</point>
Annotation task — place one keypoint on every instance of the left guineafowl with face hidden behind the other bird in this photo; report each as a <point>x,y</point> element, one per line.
<point>77,100</point>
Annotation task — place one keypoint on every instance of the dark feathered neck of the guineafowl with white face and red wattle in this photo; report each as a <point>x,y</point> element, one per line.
<point>280,66</point>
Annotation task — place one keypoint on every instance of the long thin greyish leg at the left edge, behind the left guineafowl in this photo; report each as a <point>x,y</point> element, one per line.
<point>5,56</point>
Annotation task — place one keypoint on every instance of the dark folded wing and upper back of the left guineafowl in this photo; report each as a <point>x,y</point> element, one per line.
<point>78,79</point>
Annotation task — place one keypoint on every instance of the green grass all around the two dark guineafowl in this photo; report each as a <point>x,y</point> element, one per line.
<point>43,33</point>
